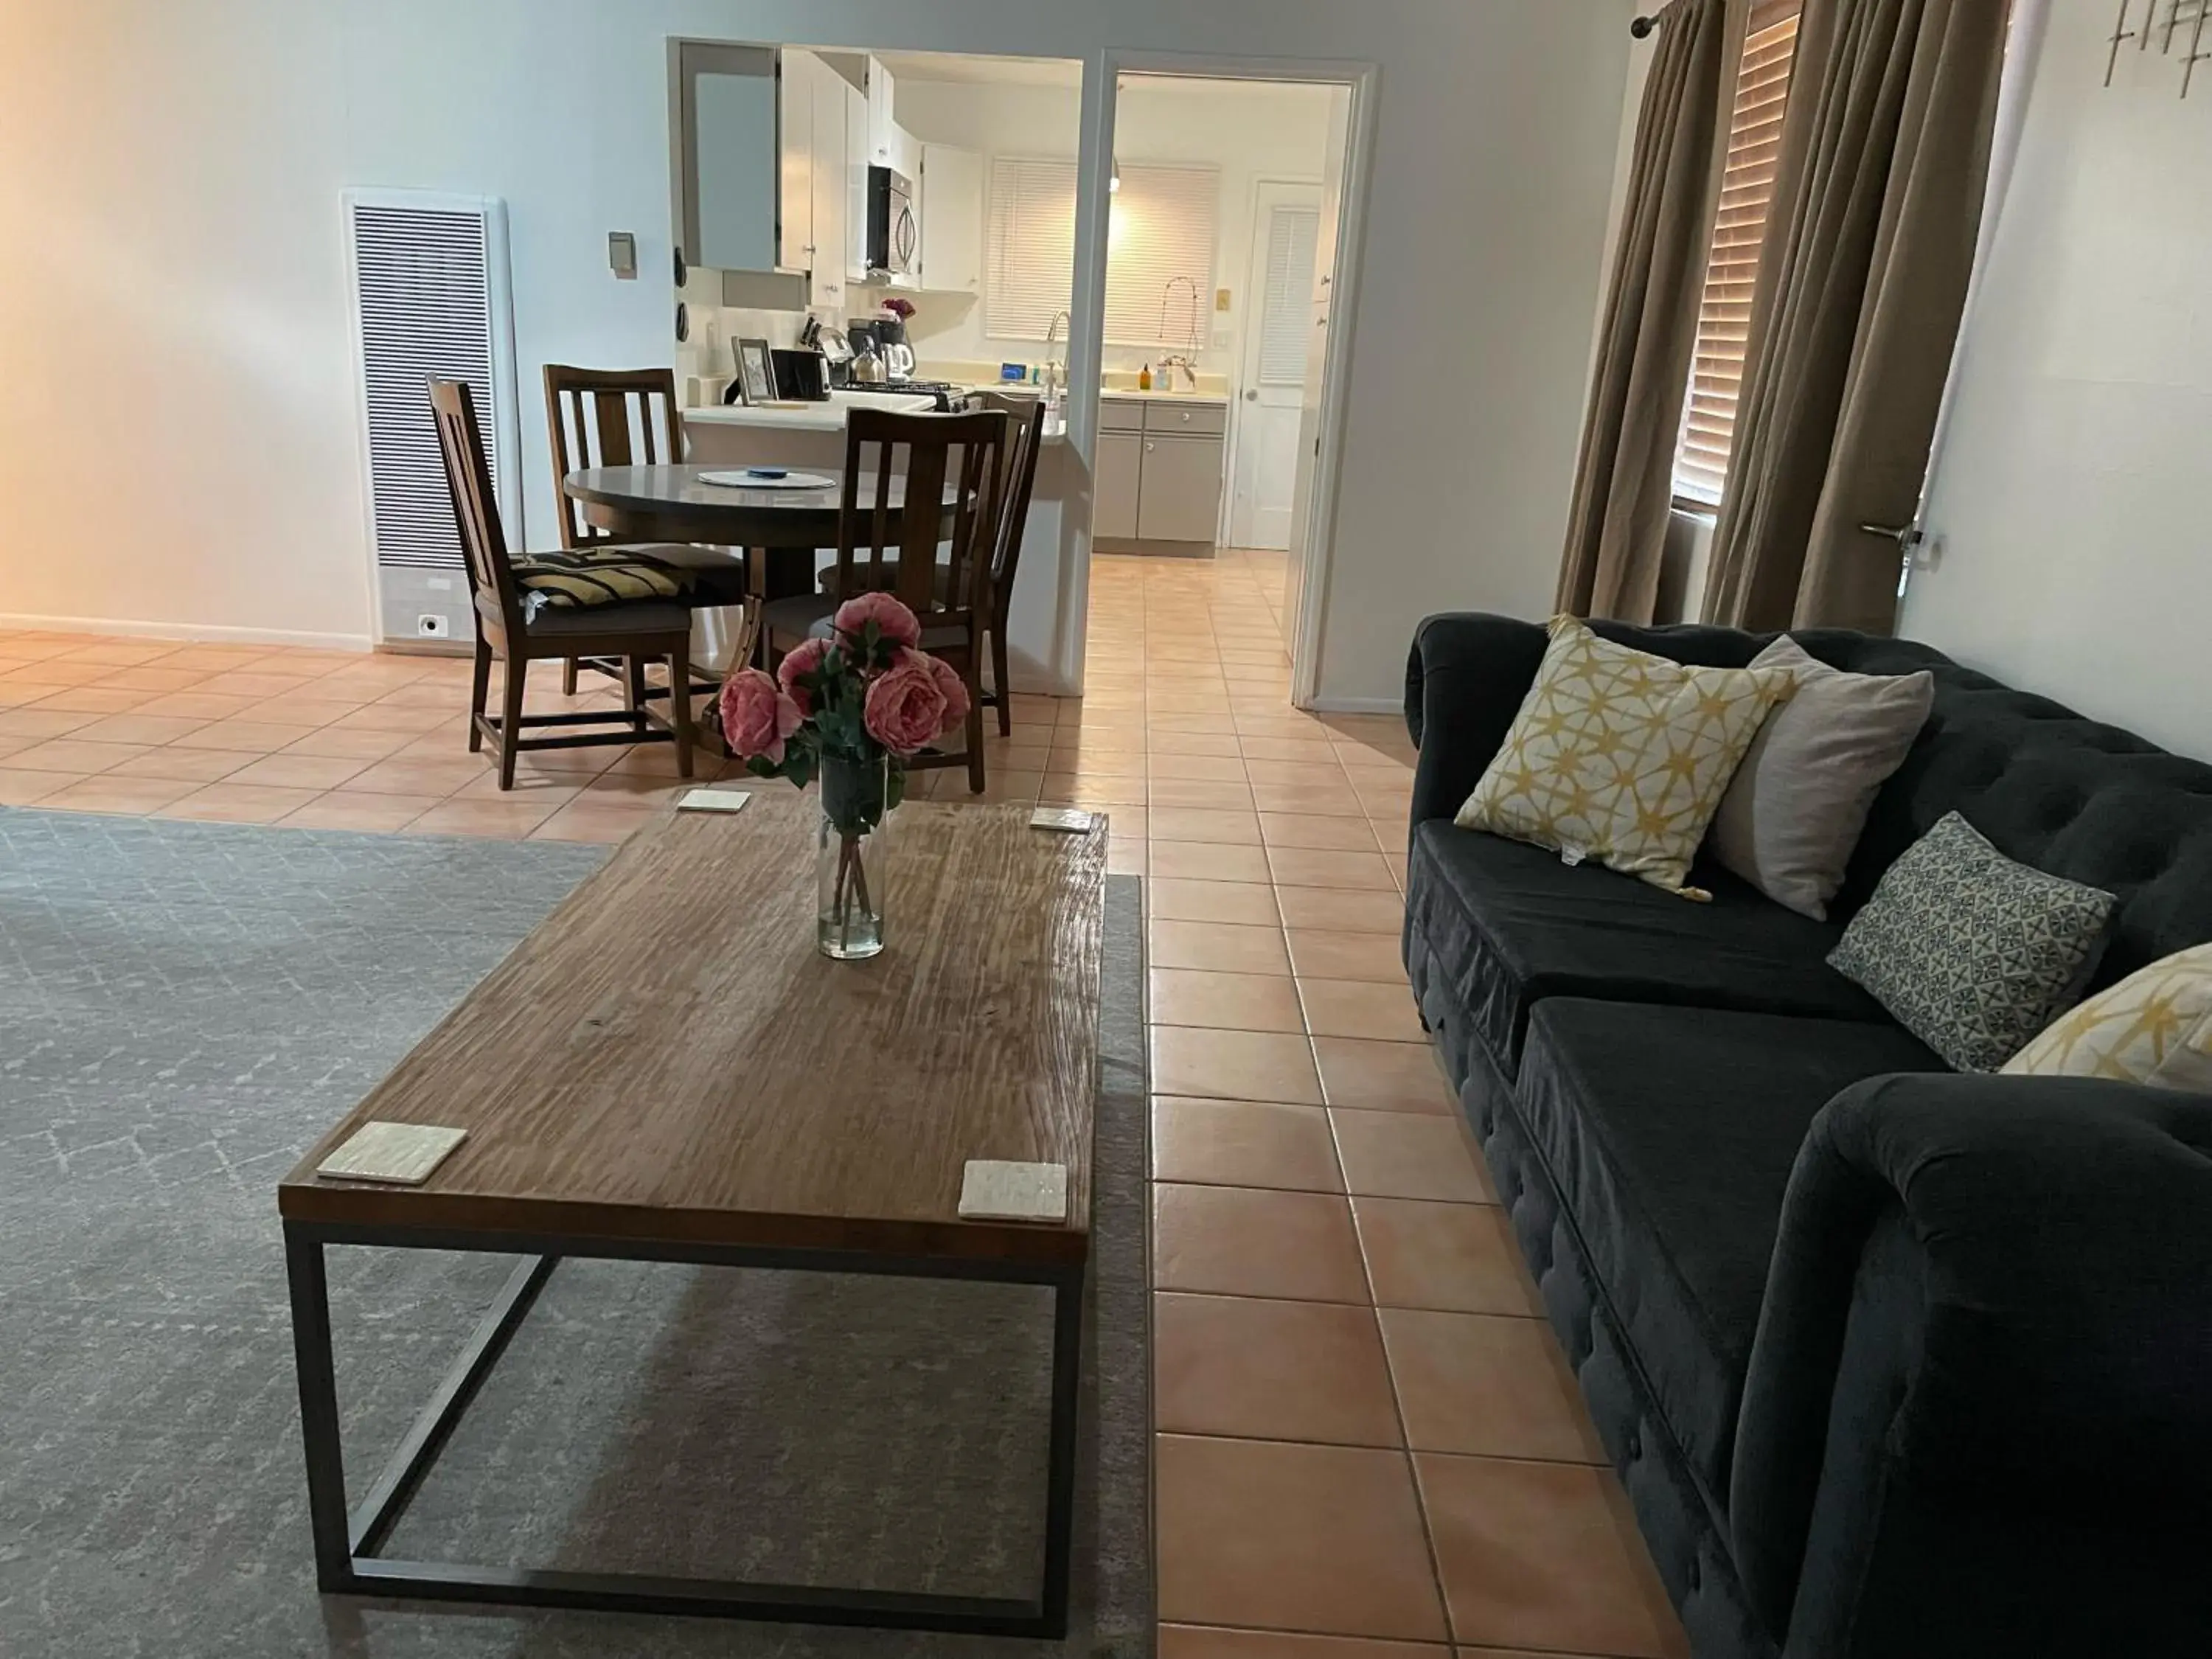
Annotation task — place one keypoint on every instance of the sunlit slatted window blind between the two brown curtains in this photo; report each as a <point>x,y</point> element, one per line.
<point>1724,320</point>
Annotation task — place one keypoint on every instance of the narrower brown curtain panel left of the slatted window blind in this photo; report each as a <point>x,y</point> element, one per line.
<point>1625,483</point>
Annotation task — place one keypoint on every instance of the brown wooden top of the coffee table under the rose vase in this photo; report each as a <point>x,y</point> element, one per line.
<point>669,1058</point>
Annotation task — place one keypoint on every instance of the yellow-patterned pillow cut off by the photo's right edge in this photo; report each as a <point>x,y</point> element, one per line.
<point>2153,1027</point>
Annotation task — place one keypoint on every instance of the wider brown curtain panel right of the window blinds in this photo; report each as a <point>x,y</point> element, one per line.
<point>1861,286</point>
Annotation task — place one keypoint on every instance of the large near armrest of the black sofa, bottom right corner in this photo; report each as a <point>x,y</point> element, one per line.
<point>1979,1410</point>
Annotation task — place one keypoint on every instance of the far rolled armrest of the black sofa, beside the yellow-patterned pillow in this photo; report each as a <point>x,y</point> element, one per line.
<point>1465,682</point>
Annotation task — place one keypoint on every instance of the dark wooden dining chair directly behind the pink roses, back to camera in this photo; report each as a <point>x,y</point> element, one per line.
<point>941,576</point>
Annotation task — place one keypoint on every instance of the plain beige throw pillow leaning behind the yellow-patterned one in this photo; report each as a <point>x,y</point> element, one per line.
<point>1797,804</point>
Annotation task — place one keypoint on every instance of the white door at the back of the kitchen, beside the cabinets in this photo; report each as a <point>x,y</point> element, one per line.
<point>1286,231</point>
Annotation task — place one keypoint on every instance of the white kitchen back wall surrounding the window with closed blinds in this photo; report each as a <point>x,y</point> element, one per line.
<point>1249,132</point>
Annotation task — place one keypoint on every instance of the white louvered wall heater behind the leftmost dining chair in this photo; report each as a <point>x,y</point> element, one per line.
<point>430,278</point>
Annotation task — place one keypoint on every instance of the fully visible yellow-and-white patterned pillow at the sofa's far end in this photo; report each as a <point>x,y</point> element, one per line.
<point>1623,758</point>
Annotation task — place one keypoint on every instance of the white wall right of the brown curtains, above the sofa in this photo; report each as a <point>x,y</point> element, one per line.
<point>2076,486</point>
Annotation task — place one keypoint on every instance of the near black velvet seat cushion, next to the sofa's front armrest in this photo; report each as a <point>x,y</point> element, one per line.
<point>1669,1136</point>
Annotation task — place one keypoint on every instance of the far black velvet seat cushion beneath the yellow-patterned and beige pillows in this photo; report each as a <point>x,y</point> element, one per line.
<point>1514,926</point>
